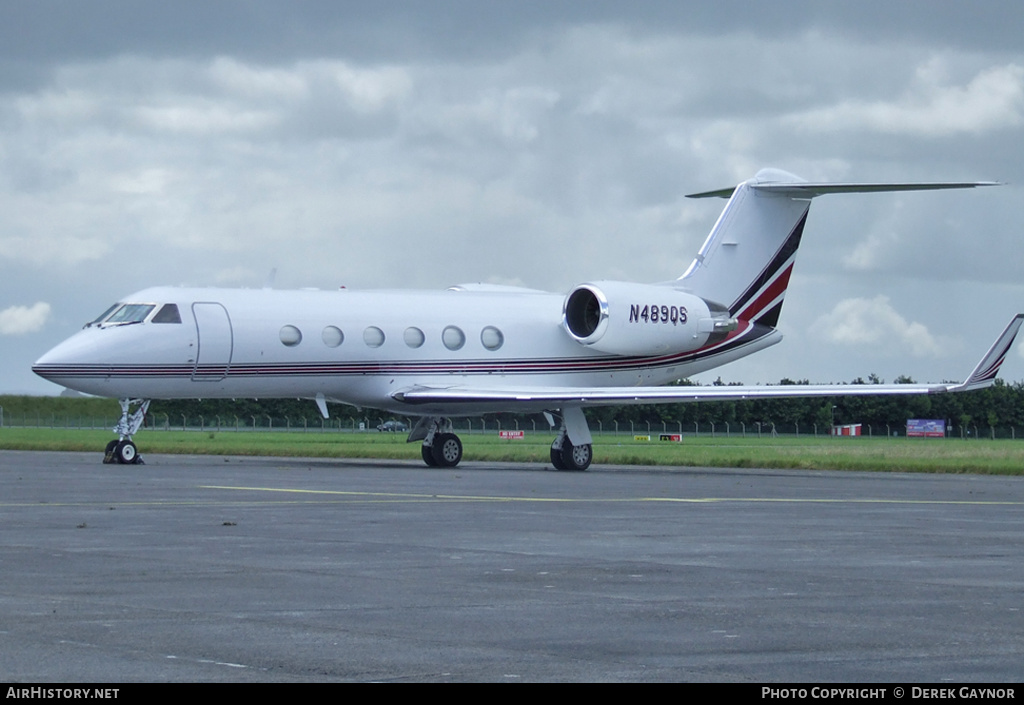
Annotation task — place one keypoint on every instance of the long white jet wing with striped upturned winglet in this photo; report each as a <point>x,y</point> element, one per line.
<point>984,376</point>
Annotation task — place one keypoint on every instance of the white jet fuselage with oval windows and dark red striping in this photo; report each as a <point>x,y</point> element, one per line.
<point>360,348</point>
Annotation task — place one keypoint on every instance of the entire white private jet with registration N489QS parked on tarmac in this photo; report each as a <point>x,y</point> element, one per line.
<point>479,349</point>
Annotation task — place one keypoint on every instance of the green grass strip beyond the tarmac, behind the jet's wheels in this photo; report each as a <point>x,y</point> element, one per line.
<point>917,455</point>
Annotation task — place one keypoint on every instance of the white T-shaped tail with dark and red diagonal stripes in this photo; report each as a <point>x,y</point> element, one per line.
<point>747,260</point>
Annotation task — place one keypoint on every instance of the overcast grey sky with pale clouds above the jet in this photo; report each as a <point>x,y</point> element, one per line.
<point>541,144</point>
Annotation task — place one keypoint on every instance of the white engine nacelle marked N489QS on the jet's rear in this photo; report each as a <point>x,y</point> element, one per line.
<point>621,318</point>
